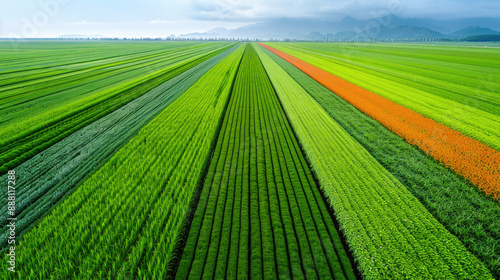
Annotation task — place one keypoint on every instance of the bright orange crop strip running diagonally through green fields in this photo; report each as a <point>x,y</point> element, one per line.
<point>466,156</point>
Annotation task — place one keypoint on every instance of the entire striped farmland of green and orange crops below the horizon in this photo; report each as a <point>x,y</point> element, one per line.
<point>272,160</point>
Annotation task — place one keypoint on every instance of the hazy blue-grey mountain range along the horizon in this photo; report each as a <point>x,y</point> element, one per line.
<point>387,27</point>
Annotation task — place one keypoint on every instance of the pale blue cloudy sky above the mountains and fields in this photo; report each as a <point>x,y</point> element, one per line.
<point>160,18</point>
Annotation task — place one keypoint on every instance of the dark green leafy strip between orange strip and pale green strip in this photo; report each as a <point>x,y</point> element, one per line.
<point>468,213</point>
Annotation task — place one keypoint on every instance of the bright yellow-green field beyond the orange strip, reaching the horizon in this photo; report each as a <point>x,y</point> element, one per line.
<point>474,113</point>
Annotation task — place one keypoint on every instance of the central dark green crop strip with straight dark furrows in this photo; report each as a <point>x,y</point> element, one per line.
<point>260,214</point>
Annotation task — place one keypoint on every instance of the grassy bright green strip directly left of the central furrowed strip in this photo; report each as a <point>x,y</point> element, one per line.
<point>122,222</point>
